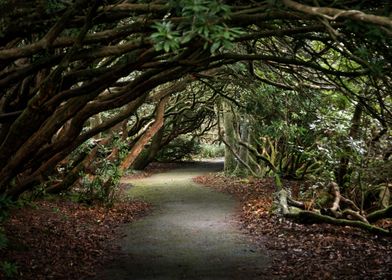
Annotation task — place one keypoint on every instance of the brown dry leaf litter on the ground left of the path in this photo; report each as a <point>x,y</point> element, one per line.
<point>63,239</point>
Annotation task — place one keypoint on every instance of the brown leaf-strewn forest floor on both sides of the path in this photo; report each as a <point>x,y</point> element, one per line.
<point>57,239</point>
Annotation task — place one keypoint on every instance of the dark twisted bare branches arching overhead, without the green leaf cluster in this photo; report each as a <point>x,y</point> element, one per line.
<point>73,74</point>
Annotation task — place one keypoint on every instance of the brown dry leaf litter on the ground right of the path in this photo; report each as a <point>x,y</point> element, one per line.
<point>305,251</point>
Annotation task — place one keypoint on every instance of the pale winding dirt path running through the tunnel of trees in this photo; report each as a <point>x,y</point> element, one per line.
<point>191,233</point>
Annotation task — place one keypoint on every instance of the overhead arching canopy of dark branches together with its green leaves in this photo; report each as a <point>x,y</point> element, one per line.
<point>63,63</point>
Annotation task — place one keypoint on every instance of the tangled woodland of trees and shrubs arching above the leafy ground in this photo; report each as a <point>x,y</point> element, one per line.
<point>287,91</point>
